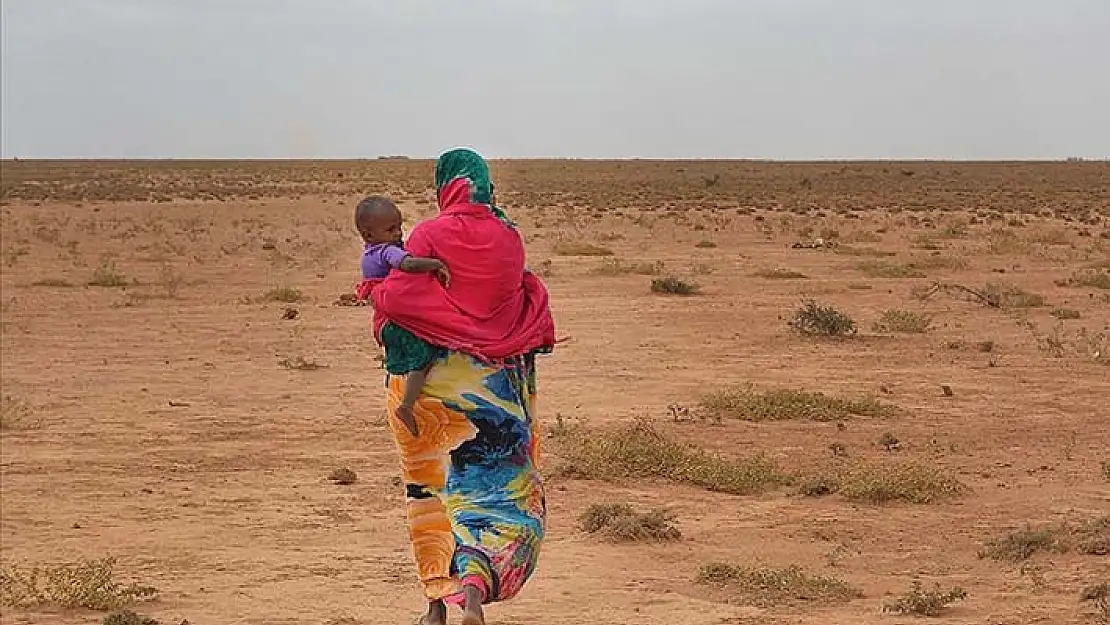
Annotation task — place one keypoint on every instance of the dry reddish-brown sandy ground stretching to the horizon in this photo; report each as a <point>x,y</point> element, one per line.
<point>152,420</point>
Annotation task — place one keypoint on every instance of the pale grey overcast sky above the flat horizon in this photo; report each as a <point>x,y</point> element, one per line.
<point>769,79</point>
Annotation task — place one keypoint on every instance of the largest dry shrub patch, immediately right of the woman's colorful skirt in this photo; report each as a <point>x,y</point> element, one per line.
<point>641,451</point>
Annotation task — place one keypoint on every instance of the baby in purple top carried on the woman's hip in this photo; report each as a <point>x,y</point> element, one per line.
<point>379,223</point>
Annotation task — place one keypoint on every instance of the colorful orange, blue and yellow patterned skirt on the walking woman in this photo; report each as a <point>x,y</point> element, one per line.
<point>476,499</point>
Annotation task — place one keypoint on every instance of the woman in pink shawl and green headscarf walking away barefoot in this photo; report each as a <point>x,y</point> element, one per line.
<point>477,509</point>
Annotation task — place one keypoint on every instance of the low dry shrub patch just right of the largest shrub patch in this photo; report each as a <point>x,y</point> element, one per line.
<point>904,482</point>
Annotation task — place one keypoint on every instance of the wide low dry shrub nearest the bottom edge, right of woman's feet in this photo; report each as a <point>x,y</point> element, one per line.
<point>768,587</point>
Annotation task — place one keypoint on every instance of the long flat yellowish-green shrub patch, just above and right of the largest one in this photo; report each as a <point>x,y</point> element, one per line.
<point>748,405</point>
